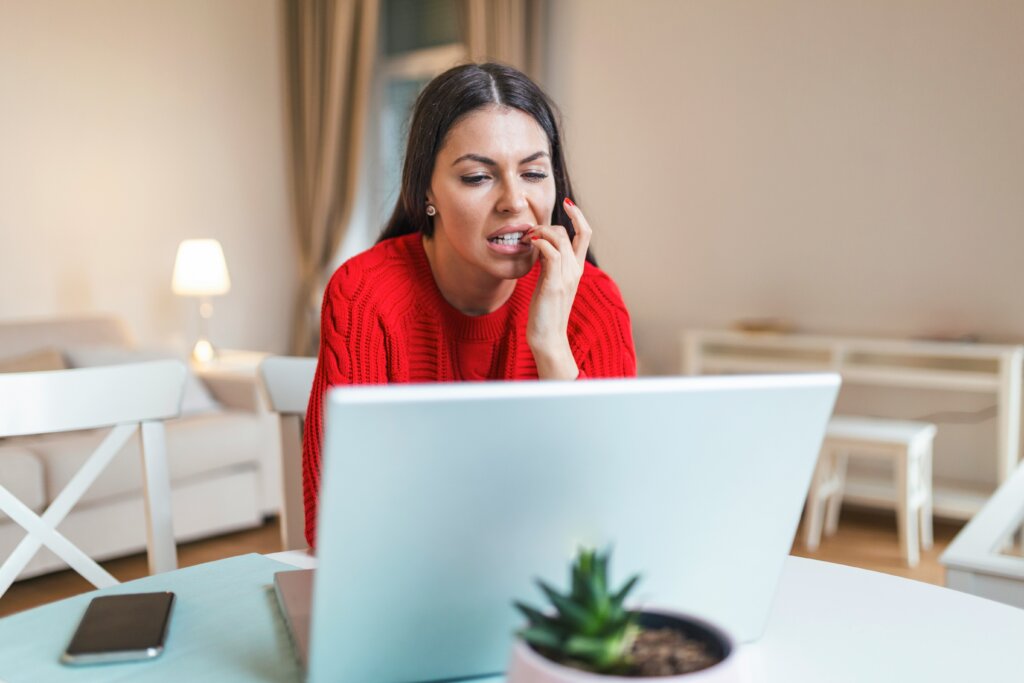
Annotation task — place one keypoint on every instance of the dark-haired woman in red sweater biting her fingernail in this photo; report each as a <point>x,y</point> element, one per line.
<point>484,271</point>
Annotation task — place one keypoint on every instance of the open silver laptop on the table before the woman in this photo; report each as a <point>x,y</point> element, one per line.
<point>441,504</point>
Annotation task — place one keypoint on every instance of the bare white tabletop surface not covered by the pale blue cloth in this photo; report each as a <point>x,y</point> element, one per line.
<point>842,625</point>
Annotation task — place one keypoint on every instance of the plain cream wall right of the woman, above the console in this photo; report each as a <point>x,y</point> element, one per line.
<point>852,166</point>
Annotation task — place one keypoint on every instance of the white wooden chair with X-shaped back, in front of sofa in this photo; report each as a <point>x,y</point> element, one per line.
<point>131,399</point>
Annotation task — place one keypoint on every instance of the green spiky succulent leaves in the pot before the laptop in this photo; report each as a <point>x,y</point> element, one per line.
<point>589,627</point>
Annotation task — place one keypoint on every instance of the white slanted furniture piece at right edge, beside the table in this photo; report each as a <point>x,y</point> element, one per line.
<point>987,559</point>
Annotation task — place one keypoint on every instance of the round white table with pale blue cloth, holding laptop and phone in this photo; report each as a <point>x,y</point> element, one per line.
<point>830,624</point>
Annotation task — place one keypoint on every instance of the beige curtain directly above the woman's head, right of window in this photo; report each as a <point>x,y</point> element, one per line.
<point>506,31</point>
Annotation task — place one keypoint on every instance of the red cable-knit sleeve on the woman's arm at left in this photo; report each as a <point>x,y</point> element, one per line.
<point>352,352</point>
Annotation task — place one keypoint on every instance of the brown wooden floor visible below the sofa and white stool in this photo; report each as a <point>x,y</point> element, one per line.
<point>865,540</point>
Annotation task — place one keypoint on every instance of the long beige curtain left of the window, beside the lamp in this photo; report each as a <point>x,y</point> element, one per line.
<point>330,47</point>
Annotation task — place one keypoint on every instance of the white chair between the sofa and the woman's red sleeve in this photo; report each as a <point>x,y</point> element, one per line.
<point>288,381</point>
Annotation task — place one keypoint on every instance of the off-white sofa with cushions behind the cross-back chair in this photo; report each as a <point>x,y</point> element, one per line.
<point>224,452</point>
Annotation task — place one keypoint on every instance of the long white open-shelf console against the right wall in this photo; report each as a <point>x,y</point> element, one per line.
<point>992,369</point>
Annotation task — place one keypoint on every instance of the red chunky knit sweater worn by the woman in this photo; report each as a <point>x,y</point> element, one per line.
<point>386,321</point>
